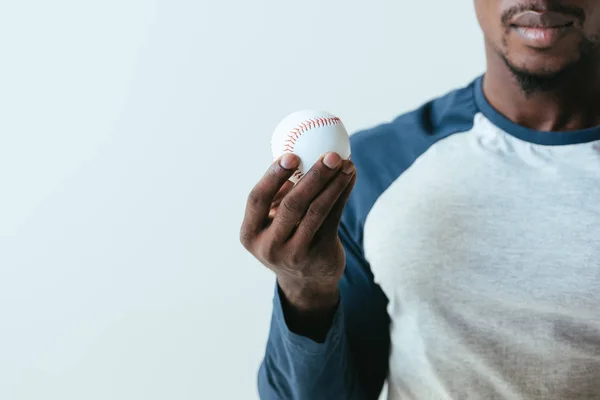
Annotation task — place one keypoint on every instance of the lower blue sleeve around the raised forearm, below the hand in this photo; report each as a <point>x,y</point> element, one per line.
<point>352,362</point>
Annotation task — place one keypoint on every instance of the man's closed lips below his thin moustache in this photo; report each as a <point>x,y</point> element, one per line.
<point>542,29</point>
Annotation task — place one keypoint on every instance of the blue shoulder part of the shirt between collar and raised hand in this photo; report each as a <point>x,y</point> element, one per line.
<point>382,153</point>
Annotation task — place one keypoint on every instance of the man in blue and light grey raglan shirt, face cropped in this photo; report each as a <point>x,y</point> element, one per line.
<point>464,263</point>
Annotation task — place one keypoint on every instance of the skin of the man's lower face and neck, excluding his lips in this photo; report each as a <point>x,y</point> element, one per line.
<point>571,103</point>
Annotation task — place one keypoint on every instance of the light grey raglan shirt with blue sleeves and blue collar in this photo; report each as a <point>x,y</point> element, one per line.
<point>473,266</point>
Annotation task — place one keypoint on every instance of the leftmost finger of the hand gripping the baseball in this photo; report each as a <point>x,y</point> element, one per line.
<point>261,197</point>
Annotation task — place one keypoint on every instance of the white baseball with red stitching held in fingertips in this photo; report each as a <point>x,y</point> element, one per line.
<point>310,134</point>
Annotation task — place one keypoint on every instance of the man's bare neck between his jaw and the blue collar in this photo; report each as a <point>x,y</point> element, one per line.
<point>573,105</point>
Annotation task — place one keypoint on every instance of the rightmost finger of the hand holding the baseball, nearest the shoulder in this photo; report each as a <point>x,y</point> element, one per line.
<point>326,204</point>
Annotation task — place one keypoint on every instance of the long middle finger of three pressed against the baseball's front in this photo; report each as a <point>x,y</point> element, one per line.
<point>296,203</point>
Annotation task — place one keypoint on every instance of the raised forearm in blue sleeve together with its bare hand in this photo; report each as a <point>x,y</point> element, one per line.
<point>329,333</point>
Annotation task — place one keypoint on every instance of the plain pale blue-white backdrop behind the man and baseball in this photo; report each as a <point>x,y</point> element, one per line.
<point>131,132</point>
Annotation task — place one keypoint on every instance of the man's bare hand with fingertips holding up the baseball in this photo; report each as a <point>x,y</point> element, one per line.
<point>293,230</point>
